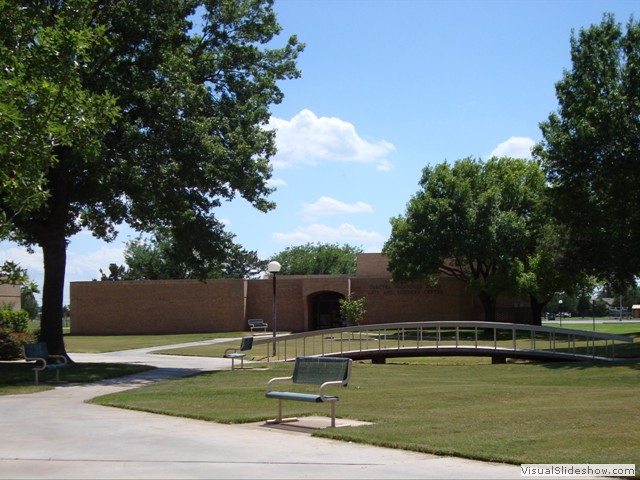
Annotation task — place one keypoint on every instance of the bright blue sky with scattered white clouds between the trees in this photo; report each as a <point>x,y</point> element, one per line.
<point>387,88</point>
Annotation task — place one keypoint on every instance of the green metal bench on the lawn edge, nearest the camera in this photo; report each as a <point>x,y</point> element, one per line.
<point>322,371</point>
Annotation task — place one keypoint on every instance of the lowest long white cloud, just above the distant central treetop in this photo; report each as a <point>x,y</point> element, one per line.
<point>316,232</point>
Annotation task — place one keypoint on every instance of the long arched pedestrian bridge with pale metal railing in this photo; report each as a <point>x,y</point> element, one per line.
<point>485,339</point>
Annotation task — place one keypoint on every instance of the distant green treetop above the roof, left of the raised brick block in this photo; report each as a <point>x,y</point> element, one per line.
<point>318,259</point>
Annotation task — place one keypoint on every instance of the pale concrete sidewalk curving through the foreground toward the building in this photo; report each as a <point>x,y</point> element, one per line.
<point>54,434</point>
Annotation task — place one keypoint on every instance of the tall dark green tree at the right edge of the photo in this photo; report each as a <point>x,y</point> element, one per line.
<point>591,150</point>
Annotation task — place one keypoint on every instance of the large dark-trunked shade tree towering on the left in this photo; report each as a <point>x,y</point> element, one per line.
<point>185,108</point>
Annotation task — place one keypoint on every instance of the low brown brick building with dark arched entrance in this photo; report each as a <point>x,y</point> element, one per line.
<point>303,302</point>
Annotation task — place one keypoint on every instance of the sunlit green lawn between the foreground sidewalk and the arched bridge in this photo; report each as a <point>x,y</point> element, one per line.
<point>516,413</point>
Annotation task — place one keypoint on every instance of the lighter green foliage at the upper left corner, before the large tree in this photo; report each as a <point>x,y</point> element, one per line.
<point>44,106</point>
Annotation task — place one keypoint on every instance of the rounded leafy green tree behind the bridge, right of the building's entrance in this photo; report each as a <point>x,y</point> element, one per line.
<point>475,221</point>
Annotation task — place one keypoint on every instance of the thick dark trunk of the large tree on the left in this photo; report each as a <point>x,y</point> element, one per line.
<point>54,251</point>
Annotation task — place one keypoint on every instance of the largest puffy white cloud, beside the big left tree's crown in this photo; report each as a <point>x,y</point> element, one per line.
<point>307,138</point>
